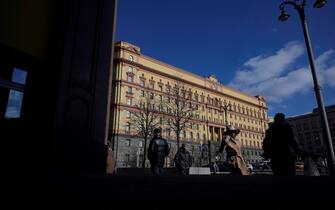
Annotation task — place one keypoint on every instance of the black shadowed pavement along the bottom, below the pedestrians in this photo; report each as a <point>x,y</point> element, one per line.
<point>178,192</point>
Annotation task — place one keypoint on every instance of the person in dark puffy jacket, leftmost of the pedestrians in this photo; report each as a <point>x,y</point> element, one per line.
<point>157,151</point>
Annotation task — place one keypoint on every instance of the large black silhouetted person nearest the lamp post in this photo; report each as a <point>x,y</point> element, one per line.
<point>280,147</point>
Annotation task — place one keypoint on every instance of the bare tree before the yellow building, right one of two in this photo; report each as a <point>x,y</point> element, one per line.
<point>180,109</point>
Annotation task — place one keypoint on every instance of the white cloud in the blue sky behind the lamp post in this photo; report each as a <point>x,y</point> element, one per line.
<point>267,75</point>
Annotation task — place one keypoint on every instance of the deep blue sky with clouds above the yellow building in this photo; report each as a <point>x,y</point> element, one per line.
<point>241,42</point>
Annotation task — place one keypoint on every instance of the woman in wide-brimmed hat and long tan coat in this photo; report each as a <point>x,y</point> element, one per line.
<point>232,146</point>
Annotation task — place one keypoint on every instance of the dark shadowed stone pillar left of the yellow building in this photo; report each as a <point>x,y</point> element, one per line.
<point>82,115</point>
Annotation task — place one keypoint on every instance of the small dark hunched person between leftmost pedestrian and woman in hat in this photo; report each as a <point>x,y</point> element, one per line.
<point>183,160</point>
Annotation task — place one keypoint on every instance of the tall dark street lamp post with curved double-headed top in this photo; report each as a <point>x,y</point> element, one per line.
<point>283,17</point>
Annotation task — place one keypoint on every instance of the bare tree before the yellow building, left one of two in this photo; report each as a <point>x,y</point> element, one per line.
<point>145,118</point>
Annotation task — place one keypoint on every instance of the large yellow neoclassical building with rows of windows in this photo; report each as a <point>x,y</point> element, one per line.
<point>136,74</point>
